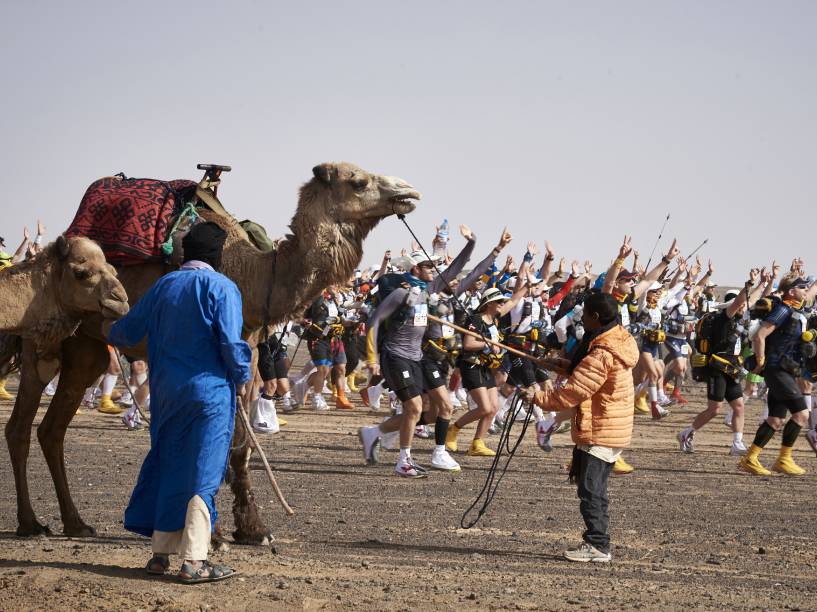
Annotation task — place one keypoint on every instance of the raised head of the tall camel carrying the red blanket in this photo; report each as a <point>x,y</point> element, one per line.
<point>350,194</point>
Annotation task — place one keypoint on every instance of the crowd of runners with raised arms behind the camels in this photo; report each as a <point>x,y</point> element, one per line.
<point>425,336</point>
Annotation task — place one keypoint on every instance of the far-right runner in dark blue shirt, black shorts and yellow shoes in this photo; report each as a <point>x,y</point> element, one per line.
<point>778,349</point>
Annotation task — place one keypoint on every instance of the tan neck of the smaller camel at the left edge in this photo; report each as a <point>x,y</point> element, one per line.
<point>31,306</point>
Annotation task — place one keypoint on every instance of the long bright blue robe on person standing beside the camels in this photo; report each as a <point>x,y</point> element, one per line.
<point>192,319</point>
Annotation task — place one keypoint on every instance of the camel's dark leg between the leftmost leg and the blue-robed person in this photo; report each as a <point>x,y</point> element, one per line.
<point>83,361</point>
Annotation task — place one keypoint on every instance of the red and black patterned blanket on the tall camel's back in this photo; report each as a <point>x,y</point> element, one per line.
<point>130,217</point>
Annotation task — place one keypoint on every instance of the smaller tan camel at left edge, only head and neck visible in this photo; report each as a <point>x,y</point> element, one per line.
<point>45,298</point>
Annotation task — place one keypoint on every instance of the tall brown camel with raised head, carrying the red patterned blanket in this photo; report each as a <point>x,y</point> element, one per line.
<point>337,208</point>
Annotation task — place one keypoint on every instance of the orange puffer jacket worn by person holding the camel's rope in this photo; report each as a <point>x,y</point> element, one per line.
<point>602,388</point>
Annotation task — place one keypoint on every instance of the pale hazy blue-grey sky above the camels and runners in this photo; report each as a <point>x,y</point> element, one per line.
<point>573,121</point>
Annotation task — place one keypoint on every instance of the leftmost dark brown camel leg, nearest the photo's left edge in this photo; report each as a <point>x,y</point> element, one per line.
<point>18,438</point>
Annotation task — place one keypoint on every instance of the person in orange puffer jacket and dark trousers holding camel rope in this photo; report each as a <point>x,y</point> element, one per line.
<point>598,394</point>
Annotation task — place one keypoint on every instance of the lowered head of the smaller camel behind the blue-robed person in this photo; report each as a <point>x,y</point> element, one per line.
<point>87,282</point>
